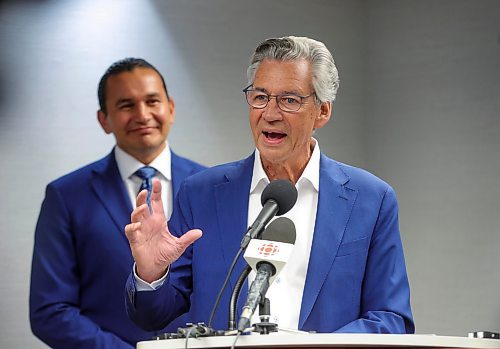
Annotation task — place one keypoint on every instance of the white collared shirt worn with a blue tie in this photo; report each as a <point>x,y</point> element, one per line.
<point>127,165</point>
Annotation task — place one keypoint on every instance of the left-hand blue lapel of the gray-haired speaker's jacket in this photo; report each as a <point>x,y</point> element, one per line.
<point>232,219</point>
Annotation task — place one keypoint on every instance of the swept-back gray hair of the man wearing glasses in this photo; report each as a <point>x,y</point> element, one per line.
<point>325,78</point>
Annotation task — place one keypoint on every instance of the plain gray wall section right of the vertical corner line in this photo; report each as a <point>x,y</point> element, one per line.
<point>433,122</point>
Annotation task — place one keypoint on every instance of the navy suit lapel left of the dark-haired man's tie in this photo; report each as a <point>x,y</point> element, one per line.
<point>109,188</point>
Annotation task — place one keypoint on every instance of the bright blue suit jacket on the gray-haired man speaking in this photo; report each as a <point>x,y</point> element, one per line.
<point>356,279</point>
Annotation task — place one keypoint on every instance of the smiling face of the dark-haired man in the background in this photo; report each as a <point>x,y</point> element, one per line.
<point>139,113</point>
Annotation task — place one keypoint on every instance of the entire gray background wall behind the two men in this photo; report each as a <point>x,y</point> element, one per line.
<point>418,106</point>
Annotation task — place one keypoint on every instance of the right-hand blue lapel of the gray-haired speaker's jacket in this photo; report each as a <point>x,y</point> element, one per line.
<point>335,202</point>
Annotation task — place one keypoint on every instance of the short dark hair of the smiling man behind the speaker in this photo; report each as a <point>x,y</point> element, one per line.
<point>118,67</point>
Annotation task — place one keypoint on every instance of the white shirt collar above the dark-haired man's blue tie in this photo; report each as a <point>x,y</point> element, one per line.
<point>127,164</point>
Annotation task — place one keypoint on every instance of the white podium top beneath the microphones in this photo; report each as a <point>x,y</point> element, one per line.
<point>325,340</point>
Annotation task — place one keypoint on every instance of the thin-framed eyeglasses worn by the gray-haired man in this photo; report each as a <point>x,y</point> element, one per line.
<point>286,102</point>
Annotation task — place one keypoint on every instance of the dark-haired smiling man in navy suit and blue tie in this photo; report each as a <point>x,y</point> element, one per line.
<point>81,257</point>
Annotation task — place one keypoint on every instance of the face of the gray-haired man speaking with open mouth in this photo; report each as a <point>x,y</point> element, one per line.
<point>284,139</point>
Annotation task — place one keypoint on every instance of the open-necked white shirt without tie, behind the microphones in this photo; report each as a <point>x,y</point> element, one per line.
<point>285,294</point>
